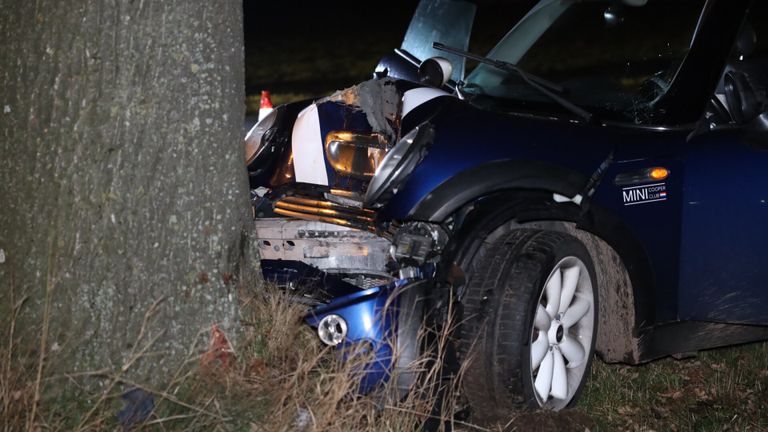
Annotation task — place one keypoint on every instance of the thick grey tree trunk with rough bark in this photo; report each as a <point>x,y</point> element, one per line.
<point>122,180</point>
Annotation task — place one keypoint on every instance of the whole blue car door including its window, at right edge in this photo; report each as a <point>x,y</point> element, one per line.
<point>724,237</point>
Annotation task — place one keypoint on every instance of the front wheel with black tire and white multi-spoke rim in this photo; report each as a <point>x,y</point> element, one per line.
<point>524,350</point>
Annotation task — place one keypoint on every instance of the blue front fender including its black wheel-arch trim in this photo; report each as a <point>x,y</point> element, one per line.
<point>477,151</point>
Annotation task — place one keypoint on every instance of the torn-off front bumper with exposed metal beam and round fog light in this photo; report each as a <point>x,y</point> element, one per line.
<point>364,292</point>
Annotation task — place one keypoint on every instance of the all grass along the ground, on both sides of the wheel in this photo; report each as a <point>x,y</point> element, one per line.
<point>284,379</point>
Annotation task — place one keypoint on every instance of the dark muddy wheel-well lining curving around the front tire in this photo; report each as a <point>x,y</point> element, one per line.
<point>623,272</point>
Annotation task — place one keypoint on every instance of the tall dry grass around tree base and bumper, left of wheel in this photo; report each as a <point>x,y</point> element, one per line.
<point>283,379</point>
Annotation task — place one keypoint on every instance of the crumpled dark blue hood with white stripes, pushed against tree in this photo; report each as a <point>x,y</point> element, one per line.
<point>374,107</point>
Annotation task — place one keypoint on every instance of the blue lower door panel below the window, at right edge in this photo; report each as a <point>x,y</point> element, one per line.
<point>724,242</point>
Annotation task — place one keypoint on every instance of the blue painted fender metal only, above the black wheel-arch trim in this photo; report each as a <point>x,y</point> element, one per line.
<point>482,137</point>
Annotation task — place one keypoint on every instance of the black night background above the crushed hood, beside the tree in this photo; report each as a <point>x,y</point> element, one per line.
<point>319,46</point>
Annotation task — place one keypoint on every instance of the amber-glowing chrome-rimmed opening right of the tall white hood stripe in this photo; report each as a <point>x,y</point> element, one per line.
<point>354,154</point>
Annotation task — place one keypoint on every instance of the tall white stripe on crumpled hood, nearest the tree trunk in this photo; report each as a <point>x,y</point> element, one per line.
<point>307,145</point>
